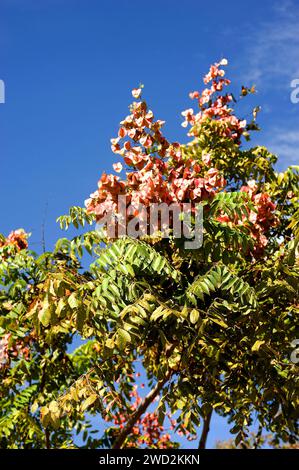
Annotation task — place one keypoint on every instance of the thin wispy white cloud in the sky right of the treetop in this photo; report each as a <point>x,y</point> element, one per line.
<point>270,60</point>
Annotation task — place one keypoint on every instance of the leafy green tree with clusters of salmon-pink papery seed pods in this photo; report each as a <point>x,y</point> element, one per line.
<point>212,325</point>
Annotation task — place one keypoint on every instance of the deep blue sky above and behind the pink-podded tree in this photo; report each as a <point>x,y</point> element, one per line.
<point>68,68</point>
